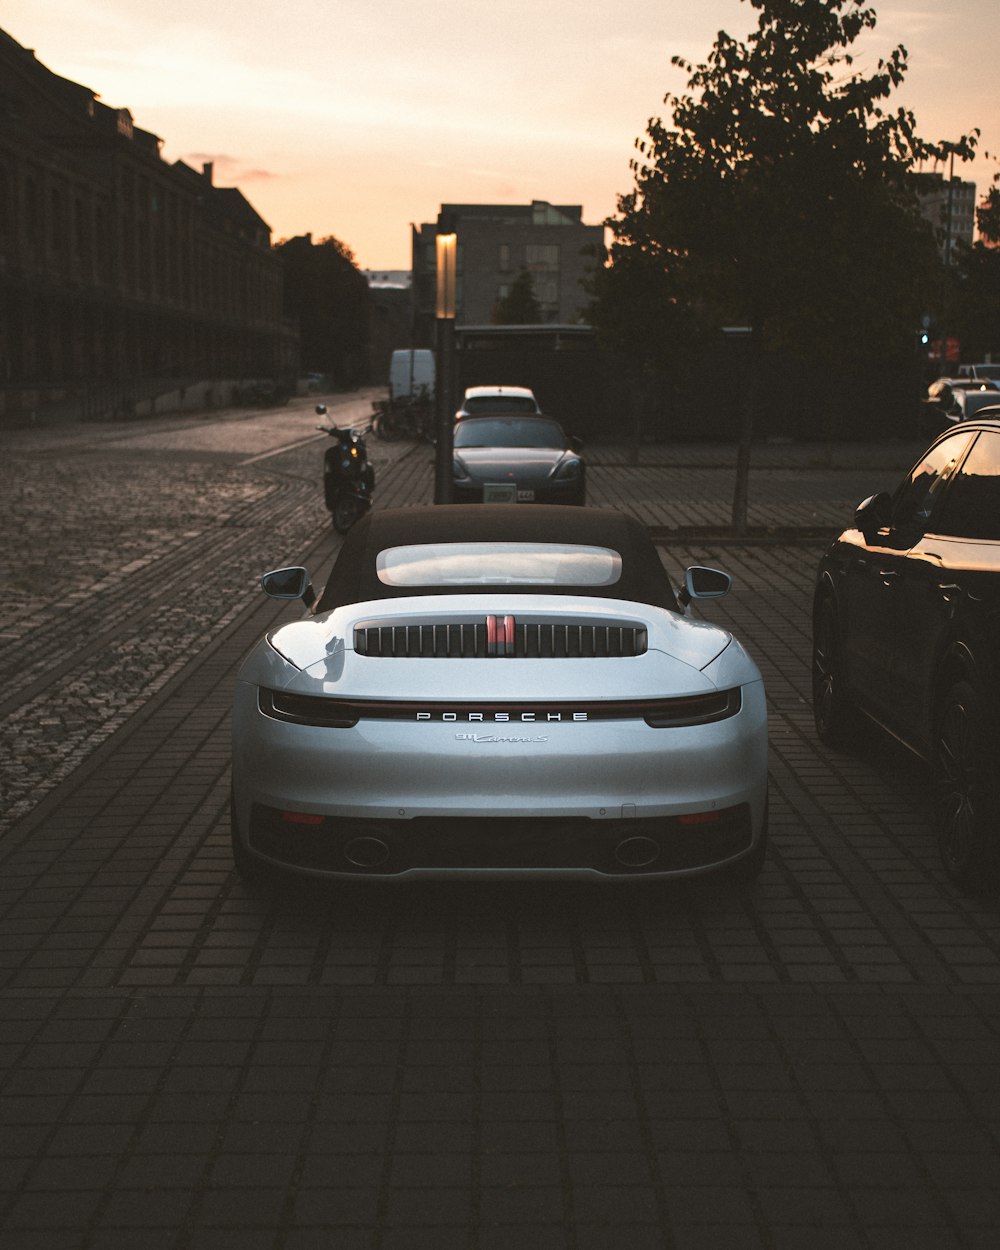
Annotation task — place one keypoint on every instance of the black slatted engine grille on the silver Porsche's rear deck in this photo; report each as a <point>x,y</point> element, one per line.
<point>468,641</point>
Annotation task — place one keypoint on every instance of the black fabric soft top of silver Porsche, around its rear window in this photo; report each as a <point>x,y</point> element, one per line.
<point>354,578</point>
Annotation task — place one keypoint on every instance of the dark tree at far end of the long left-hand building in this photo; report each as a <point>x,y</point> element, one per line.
<point>328,296</point>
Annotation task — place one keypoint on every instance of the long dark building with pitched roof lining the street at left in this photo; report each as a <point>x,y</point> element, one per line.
<point>122,277</point>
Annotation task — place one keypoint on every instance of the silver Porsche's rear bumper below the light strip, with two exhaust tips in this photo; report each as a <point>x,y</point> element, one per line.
<point>553,801</point>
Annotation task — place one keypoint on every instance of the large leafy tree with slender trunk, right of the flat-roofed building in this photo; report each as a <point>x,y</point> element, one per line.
<point>781,198</point>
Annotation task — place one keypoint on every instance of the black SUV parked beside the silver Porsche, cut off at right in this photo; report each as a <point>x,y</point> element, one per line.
<point>907,631</point>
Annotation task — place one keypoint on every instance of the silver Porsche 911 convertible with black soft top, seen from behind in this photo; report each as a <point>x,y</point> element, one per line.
<point>494,691</point>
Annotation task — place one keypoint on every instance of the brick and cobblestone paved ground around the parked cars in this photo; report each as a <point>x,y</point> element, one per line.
<point>188,1063</point>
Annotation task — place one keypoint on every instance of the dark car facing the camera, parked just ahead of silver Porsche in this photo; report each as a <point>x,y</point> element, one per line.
<point>517,461</point>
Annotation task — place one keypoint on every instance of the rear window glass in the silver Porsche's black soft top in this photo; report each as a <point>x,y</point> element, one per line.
<point>498,564</point>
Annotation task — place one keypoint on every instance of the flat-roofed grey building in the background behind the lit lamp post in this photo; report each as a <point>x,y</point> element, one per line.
<point>496,244</point>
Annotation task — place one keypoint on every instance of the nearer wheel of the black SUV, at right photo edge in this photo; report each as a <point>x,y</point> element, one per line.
<point>967,802</point>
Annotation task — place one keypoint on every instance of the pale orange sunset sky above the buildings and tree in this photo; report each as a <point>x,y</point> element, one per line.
<point>356,118</point>
